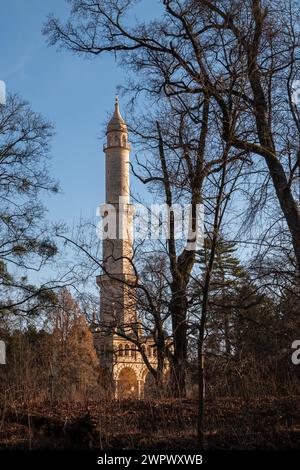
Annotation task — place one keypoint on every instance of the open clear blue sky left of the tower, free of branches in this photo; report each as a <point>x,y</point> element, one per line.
<point>75,94</point>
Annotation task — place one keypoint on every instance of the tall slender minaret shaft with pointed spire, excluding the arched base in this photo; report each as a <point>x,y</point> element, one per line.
<point>117,305</point>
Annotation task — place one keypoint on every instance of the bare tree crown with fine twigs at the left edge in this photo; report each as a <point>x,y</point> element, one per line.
<point>26,241</point>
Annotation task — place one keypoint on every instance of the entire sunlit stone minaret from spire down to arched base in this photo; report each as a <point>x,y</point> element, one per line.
<point>118,338</point>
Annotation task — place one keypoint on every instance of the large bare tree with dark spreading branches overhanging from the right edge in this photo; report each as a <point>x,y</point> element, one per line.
<point>242,55</point>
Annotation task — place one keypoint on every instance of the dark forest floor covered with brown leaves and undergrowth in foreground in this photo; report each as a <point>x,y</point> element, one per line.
<point>231,423</point>
